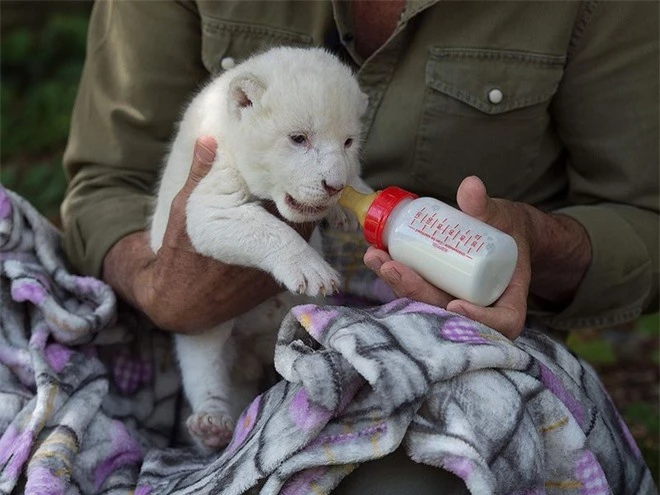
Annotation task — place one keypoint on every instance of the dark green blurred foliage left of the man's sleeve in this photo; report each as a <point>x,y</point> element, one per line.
<point>40,72</point>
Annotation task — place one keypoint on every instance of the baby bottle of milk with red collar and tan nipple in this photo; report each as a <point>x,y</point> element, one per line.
<point>457,253</point>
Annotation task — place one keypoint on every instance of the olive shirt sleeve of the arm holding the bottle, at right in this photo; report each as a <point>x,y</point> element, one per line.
<point>606,111</point>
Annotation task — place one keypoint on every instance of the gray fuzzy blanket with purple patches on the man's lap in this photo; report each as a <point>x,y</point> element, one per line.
<point>88,398</point>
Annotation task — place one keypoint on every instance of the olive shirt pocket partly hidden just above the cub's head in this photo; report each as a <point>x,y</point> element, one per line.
<point>226,42</point>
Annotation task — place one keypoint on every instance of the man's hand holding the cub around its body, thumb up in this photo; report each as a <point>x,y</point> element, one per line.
<point>179,289</point>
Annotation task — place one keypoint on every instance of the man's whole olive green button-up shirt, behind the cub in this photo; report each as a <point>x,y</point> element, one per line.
<point>550,103</point>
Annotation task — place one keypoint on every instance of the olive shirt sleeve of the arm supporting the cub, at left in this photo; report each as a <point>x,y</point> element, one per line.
<point>143,63</point>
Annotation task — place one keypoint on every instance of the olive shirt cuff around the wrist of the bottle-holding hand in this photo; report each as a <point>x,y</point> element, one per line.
<point>616,283</point>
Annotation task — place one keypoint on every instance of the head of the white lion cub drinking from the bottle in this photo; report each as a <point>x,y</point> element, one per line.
<point>295,123</point>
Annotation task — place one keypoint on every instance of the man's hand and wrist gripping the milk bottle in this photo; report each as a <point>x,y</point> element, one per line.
<point>552,249</point>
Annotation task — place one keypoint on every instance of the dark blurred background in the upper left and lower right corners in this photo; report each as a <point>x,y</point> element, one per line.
<point>42,54</point>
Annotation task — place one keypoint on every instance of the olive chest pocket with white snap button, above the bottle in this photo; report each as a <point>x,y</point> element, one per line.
<point>484,113</point>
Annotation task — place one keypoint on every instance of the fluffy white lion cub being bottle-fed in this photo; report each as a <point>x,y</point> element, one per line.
<point>288,125</point>
